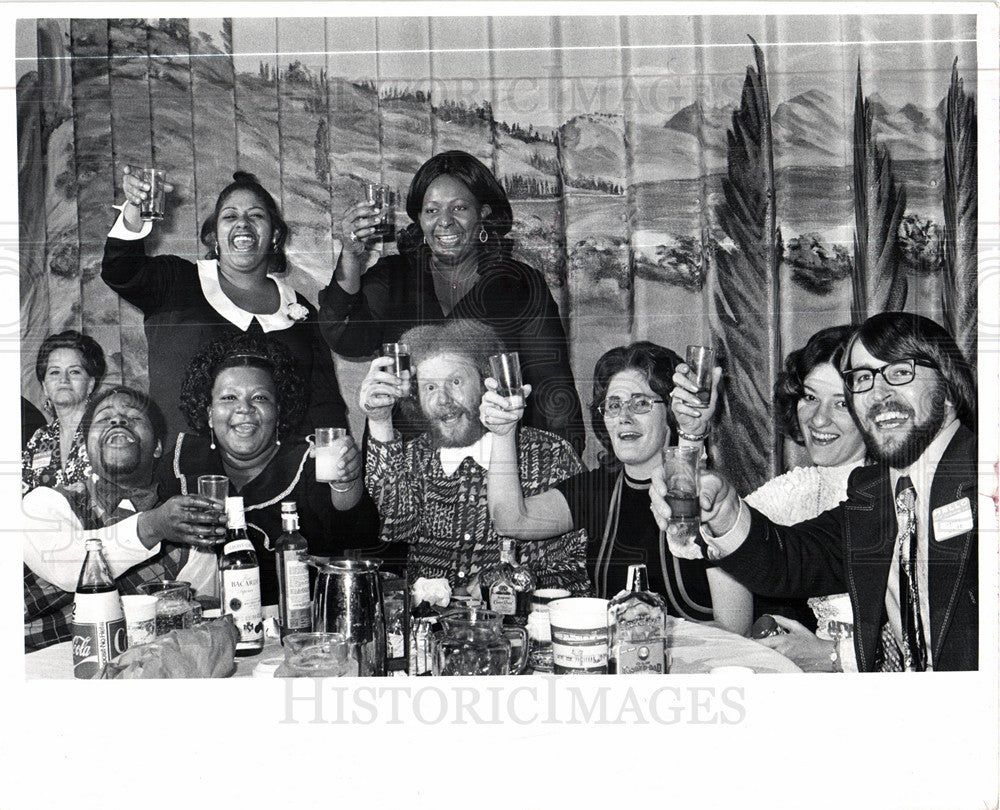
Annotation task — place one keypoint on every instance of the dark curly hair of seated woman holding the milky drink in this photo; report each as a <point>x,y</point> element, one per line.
<point>243,351</point>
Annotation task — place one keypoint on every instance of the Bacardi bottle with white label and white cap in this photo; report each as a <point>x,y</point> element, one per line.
<point>240,579</point>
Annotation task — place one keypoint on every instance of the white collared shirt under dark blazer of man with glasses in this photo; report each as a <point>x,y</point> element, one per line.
<point>921,473</point>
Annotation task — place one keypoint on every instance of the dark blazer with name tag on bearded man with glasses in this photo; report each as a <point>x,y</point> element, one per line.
<point>850,548</point>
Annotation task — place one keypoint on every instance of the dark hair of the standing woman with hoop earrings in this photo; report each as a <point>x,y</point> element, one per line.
<point>477,178</point>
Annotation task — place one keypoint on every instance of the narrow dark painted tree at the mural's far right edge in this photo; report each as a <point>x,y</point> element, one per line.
<point>961,212</point>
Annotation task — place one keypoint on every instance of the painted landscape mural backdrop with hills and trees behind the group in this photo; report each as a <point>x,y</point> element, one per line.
<point>673,180</point>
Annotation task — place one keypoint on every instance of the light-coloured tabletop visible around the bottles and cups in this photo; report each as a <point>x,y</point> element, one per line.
<point>693,648</point>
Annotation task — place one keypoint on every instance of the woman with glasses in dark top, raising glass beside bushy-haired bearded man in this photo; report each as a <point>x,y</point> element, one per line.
<point>635,415</point>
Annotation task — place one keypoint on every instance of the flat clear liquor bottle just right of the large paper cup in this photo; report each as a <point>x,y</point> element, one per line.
<point>637,627</point>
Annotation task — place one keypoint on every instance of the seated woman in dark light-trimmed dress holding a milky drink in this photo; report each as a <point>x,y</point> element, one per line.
<point>243,396</point>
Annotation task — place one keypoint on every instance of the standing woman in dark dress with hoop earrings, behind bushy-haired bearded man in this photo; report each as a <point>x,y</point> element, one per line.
<point>454,262</point>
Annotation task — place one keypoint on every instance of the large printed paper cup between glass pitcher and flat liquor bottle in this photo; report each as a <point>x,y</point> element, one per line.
<point>579,627</point>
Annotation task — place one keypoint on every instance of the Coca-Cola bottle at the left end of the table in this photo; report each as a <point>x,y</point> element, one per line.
<point>98,625</point>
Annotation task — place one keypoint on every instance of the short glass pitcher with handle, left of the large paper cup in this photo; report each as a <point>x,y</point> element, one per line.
<point>475,642</point>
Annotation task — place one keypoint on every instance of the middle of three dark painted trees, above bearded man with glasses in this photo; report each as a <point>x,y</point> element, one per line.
<point>876,280</point>
